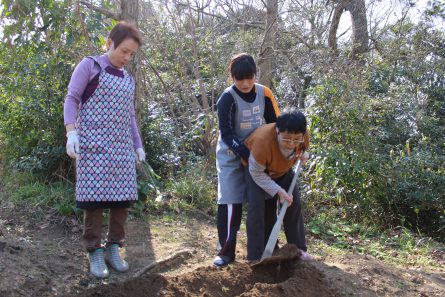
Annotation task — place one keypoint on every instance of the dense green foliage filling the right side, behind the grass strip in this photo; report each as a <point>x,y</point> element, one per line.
<point>380,153</point>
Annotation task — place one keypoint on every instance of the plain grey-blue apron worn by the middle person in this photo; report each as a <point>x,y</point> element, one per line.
<point>249,116</point>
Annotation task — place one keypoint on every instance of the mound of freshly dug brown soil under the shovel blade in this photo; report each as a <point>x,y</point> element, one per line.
<point>294,278</point>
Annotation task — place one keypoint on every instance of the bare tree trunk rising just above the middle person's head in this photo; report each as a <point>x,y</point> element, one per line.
<point>266,56</point>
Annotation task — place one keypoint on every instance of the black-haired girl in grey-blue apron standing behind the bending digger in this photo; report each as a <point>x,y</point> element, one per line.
<point>242,108</point>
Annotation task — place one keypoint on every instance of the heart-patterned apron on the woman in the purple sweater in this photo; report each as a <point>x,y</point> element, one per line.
<point>106,167</point>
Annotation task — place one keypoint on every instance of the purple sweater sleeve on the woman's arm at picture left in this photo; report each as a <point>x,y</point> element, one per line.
<point>79,81</point>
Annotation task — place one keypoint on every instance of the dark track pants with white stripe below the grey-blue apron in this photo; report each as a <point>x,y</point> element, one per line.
<point>229,221</point>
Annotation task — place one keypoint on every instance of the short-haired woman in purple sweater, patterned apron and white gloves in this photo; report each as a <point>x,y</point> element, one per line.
<point>103,136</point>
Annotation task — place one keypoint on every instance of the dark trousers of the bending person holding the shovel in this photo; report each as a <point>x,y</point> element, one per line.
<point>261,216</point>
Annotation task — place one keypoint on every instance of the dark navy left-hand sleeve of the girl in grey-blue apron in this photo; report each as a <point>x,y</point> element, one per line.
<point>226,118</point>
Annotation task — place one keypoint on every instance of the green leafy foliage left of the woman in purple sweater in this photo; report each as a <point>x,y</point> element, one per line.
<point>35,69</point>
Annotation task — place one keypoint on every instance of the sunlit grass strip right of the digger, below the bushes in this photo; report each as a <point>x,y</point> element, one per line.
<point>331,235</point>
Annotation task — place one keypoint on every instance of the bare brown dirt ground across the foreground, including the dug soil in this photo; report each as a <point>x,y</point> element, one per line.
<point>44,258</point>
